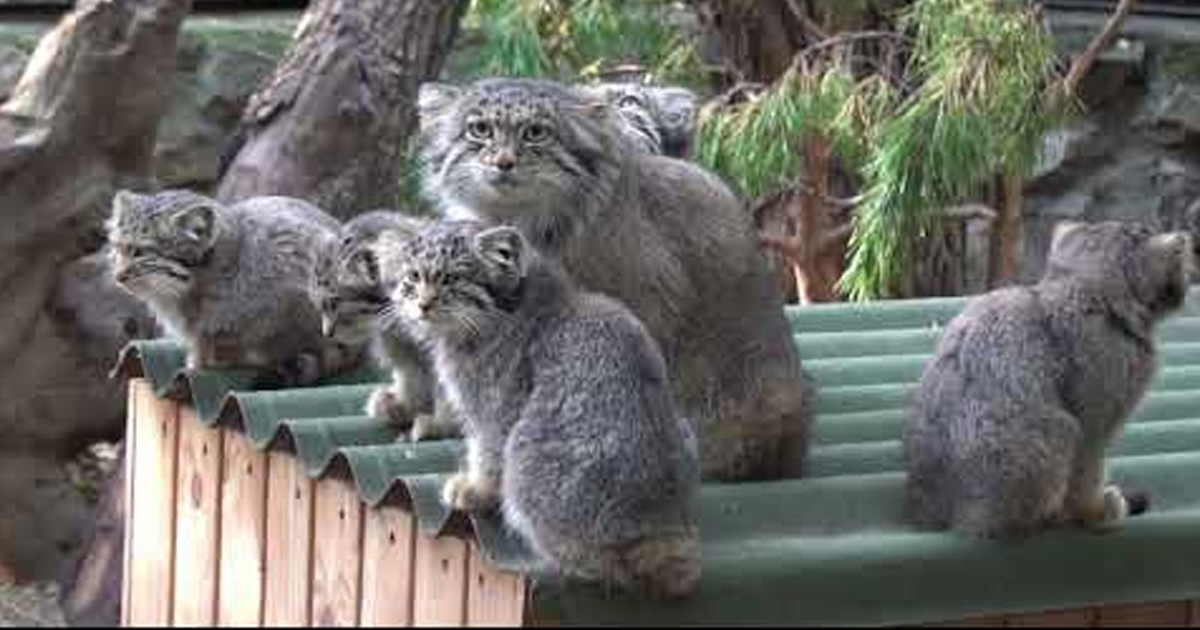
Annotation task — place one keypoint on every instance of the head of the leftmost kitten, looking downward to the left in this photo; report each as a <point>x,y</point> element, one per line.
<point>159,242</point>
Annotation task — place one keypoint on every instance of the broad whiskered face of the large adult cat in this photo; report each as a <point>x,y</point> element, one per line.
<point>506,146</point>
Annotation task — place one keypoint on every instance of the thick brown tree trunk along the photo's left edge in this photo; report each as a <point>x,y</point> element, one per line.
<point>81,123</point>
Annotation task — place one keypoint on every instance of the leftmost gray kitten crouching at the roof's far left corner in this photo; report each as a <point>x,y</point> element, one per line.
<point>232,281</point>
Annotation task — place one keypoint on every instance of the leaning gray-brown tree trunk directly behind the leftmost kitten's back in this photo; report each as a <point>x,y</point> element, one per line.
<point>332,124</point>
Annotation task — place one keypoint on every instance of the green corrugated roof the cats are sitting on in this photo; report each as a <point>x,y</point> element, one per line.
<point>830,549</point>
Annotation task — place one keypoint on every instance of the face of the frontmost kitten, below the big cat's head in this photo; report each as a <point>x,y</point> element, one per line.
<point>454,279</point>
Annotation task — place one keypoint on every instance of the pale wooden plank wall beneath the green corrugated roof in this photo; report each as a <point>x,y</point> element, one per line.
<point>223,535</point>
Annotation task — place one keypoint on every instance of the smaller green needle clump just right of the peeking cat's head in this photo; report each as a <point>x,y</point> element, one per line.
<point>745,145</point>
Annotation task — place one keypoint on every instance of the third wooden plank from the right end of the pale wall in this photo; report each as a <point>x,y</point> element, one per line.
<point>389,542</point>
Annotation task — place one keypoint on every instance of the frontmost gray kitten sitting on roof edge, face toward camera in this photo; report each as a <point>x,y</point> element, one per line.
<point>571,424</point>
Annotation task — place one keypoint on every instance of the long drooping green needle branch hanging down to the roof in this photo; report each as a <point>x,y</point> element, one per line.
<point>979,111</point>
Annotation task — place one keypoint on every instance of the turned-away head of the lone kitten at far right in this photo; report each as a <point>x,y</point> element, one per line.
<point>1155,269</point>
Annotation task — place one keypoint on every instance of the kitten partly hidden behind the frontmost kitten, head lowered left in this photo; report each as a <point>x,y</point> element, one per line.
<point>350,292</point>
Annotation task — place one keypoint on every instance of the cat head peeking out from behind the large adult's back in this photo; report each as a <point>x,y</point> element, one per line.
<point>662,121</point>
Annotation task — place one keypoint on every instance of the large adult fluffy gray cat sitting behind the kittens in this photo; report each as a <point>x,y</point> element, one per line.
<point>662,236</point>
